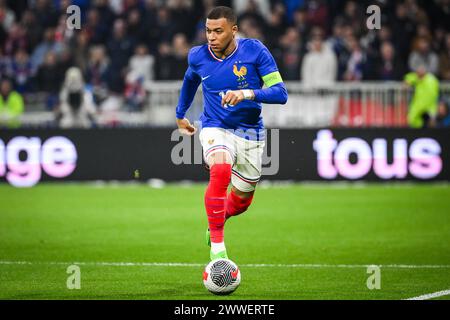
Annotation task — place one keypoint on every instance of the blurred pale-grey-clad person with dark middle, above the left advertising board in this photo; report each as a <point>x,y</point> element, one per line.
<point>77,108</point>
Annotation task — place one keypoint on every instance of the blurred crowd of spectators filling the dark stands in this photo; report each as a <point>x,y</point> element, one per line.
<point>123,44</point>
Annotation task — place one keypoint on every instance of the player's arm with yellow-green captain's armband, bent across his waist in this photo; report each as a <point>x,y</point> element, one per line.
<point>275,91</point>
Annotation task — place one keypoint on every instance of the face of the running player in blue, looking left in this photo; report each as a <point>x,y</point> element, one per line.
<point>220,33</point>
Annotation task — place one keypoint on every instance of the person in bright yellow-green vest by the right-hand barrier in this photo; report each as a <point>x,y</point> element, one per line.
<point>424,102</point>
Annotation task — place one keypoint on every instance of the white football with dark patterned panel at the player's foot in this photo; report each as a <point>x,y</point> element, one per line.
<point>221,276</point>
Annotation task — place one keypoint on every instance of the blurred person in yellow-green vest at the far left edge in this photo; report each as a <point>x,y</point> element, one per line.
<point>11,105</point>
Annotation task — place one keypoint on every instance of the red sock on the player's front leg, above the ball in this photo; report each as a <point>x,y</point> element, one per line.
<point>215,197</point>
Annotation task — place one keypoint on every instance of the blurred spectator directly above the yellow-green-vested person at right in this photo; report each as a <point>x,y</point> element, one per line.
<point>422,55</point>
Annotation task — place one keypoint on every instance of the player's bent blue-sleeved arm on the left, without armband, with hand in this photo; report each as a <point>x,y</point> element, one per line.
<point>191,82</point>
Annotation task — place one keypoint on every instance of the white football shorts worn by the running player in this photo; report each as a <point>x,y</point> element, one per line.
<point>246,155</point>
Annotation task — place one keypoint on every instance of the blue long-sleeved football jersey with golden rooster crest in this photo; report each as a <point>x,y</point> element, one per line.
<point>249,66</point>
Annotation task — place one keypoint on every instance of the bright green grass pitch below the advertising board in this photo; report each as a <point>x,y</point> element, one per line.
<point>313,241</point>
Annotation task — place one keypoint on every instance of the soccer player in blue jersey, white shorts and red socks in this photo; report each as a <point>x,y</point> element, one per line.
<point>232,72</point>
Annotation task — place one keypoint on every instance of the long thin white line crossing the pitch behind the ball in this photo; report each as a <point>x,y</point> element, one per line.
<point>181,264</point>
